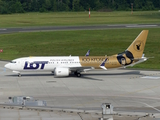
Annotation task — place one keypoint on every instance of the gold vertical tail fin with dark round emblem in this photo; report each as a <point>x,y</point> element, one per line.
<point>137,46</point>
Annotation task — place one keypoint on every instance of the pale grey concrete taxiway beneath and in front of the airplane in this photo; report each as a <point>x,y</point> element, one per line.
<point>127,90</point>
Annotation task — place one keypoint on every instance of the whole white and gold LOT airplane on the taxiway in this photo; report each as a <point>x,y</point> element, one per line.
<point>63,66</point>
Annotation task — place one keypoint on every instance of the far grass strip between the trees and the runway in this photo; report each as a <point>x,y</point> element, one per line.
<point>78,18</point>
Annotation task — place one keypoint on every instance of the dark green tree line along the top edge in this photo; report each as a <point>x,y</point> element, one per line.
<point>21,6</point>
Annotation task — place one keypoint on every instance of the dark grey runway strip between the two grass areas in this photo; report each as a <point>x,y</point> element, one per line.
<point>64,28</point>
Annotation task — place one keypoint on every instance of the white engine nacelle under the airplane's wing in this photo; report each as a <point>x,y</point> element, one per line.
<point>61,72</point>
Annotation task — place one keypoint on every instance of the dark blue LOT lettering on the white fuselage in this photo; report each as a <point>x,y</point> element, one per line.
<point>35,65</point>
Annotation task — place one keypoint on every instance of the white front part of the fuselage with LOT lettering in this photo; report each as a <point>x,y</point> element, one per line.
<point>43,63</point>
